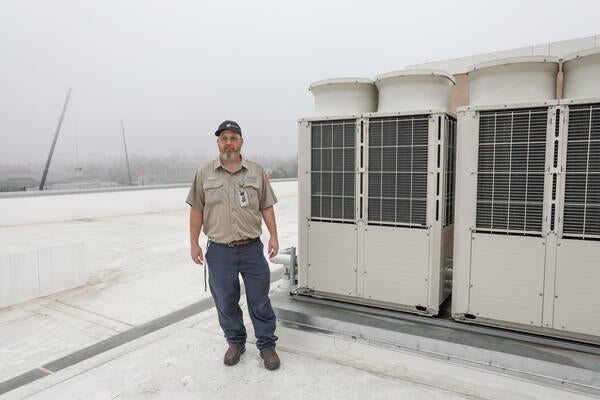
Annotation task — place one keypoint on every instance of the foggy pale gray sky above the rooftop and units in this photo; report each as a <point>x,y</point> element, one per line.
<point>174,69</point>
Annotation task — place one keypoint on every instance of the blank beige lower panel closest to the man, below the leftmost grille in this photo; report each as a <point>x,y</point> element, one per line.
<point>332,258</point>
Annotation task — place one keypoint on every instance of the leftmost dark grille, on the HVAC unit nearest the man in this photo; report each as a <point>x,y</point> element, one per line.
<point>333,152</point>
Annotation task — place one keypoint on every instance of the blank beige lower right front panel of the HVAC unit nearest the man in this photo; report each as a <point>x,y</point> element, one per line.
<point>397,265</point>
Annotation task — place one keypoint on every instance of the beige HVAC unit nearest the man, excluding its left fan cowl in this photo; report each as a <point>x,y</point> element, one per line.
<point>376,198</point>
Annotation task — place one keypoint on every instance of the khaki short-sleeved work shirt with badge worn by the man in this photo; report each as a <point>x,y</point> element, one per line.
<point>216,193</point>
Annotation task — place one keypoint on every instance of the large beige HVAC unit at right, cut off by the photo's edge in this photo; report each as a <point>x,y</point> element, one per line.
<point>528,203</point>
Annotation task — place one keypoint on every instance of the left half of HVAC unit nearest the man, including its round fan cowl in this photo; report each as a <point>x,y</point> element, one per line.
<point>328,165</point>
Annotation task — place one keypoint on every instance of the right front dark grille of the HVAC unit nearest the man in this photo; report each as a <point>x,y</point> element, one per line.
<point>397,190</point>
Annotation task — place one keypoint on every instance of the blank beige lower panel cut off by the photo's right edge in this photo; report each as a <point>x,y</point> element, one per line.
<point>576,306</point>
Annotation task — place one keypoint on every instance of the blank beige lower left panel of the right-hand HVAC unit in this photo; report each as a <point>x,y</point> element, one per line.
<point>507,278</point>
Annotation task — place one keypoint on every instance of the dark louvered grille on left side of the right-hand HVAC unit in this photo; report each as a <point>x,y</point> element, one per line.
<point>511,162</point>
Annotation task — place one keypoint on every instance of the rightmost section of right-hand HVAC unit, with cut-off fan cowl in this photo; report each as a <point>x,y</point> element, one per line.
<point>577,276</point>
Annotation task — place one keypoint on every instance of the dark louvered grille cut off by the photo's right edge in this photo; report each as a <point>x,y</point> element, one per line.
<point>582,180</point>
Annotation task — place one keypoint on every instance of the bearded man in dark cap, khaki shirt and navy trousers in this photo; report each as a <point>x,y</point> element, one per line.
<point>229,198</point>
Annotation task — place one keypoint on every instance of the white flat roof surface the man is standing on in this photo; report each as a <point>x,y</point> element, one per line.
<point>141,271</point>
